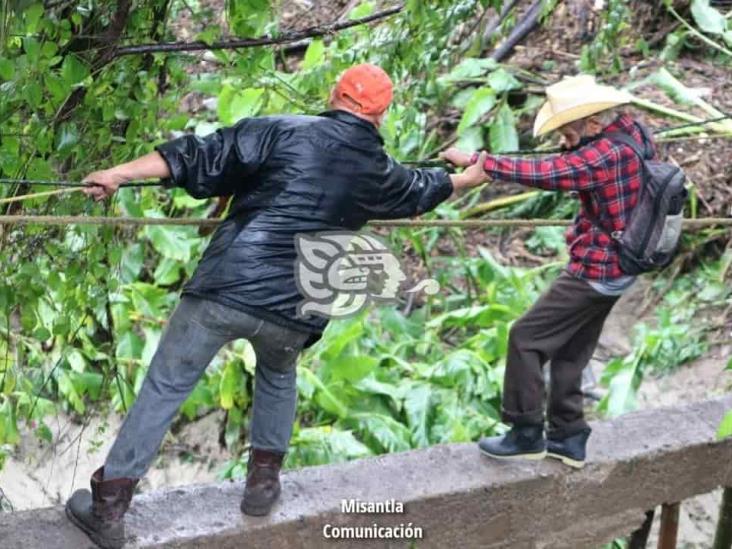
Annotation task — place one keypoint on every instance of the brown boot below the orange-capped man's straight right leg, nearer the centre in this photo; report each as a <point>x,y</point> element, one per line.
<point>263,482</point>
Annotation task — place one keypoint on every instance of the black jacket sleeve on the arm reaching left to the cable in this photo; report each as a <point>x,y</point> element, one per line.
<point>220,163</point>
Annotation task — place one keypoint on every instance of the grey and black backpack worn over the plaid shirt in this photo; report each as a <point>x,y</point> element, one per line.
<point>652,233</point>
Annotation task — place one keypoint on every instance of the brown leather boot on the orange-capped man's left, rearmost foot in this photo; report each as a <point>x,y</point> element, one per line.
<point>100,513</point>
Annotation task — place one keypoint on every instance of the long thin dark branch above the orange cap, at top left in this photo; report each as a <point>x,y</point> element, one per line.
<point>285,38</point>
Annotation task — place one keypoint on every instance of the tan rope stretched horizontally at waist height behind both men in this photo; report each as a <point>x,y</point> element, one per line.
<point>415,223</point>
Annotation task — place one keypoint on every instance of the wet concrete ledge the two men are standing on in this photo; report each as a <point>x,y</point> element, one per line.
<point>457,496</point>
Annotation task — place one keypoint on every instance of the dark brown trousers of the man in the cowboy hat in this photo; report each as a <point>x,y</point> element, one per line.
<point>562,328</point>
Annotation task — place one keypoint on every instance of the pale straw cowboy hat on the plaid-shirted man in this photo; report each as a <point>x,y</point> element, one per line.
<point>575,98</point>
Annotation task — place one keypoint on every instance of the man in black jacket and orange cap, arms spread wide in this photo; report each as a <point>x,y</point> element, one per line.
<point>287,175</point>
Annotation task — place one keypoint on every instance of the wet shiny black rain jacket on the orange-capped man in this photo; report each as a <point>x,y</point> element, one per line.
<point>289,175</point>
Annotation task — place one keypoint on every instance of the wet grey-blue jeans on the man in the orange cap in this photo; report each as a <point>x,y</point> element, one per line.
<point>195,333</point>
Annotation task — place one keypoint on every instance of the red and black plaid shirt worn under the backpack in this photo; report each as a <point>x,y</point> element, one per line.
<point>606,176</point>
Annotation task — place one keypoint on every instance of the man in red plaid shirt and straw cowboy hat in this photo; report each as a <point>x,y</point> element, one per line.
<point>564,325</point>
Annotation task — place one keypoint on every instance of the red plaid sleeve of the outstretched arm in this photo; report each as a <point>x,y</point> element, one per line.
<point>579,170</point>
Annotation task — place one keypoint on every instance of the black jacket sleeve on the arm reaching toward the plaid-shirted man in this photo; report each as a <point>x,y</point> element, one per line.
<point>409,192</point>
